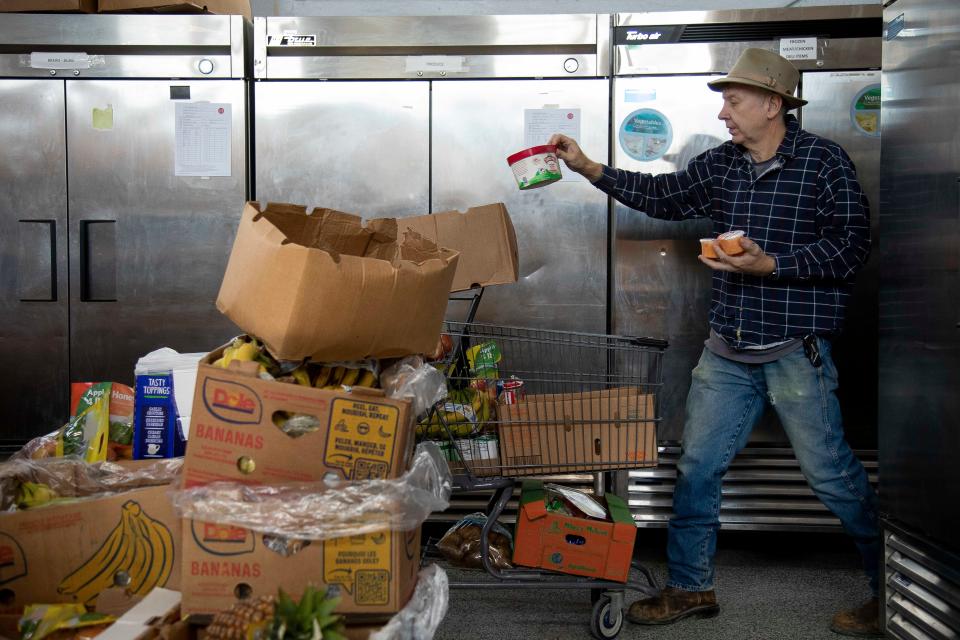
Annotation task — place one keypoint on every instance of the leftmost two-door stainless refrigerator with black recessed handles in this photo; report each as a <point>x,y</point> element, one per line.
<point>113,237</point>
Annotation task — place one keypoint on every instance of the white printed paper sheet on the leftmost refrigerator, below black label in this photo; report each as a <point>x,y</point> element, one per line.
<point>202,139</point>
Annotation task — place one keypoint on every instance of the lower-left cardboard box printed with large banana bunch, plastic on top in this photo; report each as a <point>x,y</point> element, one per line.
<point>72,551</point>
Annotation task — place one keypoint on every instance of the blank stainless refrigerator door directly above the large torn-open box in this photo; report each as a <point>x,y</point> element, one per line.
<point>361,147</point>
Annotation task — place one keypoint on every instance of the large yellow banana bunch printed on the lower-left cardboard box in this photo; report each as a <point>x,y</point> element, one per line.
<point>139,552</point>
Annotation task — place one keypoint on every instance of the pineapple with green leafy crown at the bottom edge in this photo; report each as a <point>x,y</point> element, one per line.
<point>280,618</point>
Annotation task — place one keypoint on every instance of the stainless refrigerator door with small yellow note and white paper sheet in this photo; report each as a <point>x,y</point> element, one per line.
<point>148,248</point>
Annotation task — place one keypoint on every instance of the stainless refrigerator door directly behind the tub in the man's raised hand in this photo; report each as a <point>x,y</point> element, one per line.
<point>561,228</point>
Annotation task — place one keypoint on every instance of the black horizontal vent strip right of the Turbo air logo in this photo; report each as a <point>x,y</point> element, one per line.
<point>753,31</point>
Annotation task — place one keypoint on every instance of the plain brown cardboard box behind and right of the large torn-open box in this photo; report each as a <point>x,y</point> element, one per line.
<point>485,238</point>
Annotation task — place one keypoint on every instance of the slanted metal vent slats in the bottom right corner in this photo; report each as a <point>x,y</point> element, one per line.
<point>922,590</point>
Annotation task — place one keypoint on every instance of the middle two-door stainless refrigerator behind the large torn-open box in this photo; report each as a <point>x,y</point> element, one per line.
<point>392,116</point>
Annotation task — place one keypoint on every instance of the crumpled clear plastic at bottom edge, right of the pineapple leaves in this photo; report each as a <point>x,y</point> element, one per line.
<point>421,617</point>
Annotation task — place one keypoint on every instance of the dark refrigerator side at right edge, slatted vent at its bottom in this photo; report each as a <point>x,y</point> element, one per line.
<point>919,321</point>
